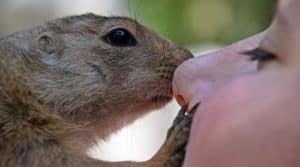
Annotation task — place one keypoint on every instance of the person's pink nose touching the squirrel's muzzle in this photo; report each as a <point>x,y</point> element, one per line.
<point>197,78</point>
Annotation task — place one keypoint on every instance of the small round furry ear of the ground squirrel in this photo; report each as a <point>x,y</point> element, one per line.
<point>48,43</point>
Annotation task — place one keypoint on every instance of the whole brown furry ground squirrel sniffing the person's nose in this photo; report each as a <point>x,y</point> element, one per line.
<point>73,79</point>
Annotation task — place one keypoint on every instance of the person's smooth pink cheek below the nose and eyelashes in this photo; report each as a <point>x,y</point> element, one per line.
<point>247,122</point>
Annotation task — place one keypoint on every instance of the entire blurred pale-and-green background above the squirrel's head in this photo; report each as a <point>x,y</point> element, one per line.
<point>186,22</point>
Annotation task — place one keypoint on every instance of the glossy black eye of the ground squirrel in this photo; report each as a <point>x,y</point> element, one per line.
<point>120,37</point>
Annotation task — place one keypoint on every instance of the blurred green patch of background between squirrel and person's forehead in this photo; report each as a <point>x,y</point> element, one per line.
<point>201,21</point>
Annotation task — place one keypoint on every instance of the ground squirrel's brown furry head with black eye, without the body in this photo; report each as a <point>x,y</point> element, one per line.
<point>93,64</point>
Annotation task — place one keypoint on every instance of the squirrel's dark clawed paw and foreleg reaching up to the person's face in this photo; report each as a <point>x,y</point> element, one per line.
<point>178,136</point>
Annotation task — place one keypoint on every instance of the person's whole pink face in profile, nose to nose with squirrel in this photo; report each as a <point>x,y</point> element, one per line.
<point>249,115</point>
